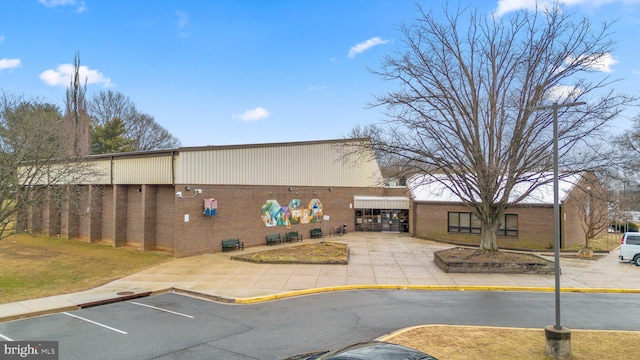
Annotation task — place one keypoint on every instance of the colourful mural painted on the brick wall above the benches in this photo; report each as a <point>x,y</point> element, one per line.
<point>273,214</point>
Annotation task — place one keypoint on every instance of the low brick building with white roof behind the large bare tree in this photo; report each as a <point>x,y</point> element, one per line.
<point>438,214</point>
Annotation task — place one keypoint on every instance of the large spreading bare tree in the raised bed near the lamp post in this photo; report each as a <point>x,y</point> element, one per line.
<point>463,110</point>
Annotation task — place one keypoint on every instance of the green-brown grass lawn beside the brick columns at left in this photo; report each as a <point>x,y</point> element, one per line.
<point>39,266</point>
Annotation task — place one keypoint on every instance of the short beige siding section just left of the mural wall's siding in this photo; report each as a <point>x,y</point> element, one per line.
<point>142,170</point>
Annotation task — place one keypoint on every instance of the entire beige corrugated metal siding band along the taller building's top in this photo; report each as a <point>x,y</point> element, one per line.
<point>290,164</point>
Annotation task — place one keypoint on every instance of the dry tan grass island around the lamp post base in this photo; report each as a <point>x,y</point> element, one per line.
<point>462,343</point>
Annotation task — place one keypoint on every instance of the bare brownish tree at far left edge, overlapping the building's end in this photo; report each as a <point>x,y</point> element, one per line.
<point>33,159</point>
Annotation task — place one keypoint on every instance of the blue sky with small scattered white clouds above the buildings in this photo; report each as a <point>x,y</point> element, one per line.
<point>237,72</point>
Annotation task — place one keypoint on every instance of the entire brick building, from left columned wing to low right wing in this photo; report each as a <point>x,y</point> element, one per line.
<point>187,200</point>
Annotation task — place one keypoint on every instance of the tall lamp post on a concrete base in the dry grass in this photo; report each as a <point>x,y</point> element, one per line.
<point>558,343</point>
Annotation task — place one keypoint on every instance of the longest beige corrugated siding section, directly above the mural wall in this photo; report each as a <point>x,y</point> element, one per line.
<point>308,164</point>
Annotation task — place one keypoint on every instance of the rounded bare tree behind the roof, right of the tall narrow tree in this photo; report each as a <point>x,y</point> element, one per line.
<point>141,129</point>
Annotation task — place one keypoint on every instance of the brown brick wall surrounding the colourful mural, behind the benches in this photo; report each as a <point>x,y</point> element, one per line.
<point>239,214</point>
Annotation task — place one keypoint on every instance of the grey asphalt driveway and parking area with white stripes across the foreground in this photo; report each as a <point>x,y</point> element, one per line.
<point>172,326</point>
